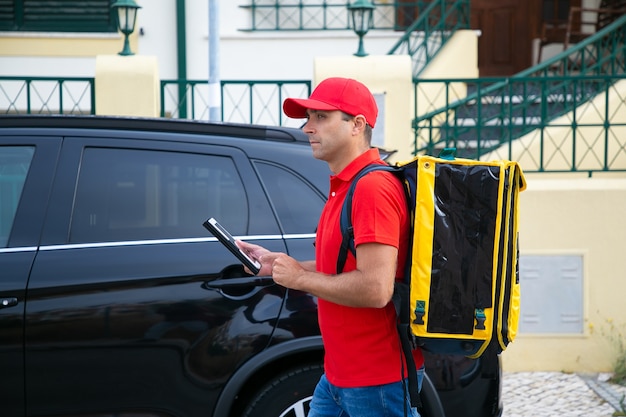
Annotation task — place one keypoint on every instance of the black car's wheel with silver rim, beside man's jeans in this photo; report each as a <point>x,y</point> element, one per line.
<point>287,395</point>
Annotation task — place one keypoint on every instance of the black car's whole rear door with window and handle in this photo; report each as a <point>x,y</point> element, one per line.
<point>133,306</point>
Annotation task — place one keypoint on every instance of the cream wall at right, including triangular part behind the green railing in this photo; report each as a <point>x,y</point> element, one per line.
<point>572,214</point>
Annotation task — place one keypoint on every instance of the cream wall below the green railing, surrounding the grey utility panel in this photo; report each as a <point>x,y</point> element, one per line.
<point>579,216</point>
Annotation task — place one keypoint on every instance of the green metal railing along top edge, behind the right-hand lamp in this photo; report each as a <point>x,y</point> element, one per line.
<point>302,15</point>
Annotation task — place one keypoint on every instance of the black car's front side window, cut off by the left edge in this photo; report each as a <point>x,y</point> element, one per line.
<point>14,165</point>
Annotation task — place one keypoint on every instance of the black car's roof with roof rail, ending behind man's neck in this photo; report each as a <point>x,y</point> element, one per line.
<point>284,145</point>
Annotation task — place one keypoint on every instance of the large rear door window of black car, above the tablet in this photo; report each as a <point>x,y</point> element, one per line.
<point>126,194</point>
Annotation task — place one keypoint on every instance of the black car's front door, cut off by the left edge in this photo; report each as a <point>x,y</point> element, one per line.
<point>26,168</point>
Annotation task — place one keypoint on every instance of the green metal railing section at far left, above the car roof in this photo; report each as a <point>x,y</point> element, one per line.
<point>47,95</point>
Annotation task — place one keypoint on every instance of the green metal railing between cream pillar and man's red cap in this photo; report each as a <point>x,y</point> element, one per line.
<point>258,102</point>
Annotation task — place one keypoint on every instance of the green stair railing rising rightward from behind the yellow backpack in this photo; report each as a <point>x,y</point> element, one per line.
<point>499,110</point>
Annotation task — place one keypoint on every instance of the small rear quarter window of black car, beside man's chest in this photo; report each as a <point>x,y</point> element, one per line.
<point>297,204</point>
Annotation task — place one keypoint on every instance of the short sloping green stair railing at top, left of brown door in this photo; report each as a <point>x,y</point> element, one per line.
<point>437,22</point>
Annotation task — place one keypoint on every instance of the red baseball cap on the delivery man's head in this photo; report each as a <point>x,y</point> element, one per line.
<point>345,94</point>
